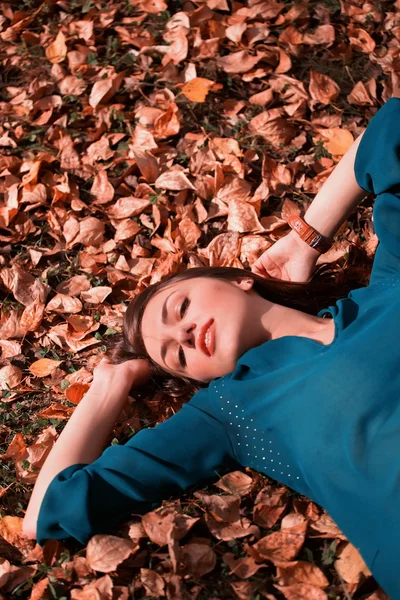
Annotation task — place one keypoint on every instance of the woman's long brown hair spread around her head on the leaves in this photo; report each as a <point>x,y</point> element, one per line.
<point>309,297</point>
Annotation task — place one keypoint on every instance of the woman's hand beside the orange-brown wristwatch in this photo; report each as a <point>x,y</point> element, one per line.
<point>289,259</point>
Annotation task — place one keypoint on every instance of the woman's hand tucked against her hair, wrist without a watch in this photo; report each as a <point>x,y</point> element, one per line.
<point>131,373</point>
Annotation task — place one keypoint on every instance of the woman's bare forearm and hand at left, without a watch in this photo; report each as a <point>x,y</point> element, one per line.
<point>83,438</point>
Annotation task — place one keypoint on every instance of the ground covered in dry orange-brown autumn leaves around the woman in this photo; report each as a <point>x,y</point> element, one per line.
<point>138,138</point>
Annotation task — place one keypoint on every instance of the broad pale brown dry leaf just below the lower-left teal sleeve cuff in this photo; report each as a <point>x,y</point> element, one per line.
<point>105,552</point>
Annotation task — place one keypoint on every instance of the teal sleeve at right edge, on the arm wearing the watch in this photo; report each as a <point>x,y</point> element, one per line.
<point>377,170</point>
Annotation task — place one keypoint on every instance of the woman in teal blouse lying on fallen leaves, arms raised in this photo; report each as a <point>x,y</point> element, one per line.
<point>311,402</point>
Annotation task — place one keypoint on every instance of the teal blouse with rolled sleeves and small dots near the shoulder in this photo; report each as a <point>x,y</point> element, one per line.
<point>324,420</point>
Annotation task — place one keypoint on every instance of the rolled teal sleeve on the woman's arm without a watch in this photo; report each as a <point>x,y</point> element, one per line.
<point>189,448</point>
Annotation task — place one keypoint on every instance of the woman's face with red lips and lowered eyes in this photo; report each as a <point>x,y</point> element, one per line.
<point>176,319</point>
